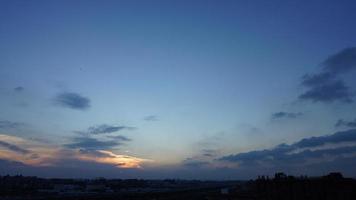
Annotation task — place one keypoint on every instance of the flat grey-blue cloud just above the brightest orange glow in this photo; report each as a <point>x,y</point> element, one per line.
<point>88,143</point>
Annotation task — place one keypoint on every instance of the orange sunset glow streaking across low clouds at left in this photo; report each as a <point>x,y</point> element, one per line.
<point>40,154</point>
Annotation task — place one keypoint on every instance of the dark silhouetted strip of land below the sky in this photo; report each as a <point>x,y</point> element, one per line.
<point>332,186</point>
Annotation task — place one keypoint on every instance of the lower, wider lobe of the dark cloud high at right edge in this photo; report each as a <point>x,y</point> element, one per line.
<point>328,92</point>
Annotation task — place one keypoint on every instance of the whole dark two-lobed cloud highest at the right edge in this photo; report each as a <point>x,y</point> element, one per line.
<point>327,86</point>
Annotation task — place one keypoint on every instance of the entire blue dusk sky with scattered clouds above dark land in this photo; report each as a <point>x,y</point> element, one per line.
<point>177,89</point>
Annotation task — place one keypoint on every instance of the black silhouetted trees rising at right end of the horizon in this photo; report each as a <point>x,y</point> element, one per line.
<point>282,187</point>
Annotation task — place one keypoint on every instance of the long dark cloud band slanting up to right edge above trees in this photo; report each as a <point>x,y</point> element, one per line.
<point>299,152</point>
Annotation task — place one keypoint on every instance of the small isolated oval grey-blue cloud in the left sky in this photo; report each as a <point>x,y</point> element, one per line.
<point>73,101</point>
